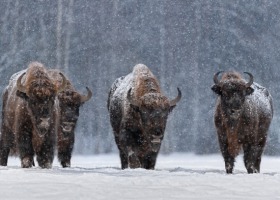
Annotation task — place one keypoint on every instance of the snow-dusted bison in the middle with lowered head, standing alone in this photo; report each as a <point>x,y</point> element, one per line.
<point>138,114</point>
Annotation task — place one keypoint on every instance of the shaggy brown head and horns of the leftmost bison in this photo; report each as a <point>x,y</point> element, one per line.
<point>39,92</point>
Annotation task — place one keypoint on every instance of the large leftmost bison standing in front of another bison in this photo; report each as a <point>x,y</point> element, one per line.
<point>29,117</point>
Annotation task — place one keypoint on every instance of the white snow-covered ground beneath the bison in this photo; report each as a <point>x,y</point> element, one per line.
<point>177,176</point>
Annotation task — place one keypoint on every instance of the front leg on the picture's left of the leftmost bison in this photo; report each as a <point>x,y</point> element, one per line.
<point>25,148</point>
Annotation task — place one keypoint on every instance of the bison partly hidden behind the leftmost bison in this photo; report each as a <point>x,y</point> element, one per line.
<point>69,101</point>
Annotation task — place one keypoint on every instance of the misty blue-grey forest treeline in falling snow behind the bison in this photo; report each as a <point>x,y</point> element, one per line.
<point>184,42</point>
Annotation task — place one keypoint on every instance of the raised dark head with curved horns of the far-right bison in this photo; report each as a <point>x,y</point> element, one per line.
<point>233,90</point>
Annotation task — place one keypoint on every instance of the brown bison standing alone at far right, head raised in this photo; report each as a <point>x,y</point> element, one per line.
<point>242,118</point>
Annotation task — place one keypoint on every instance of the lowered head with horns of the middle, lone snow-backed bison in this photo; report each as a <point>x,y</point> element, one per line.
<point>153,109</point>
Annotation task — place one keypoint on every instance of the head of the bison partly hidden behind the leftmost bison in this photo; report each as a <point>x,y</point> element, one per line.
<point>70,102</point>
